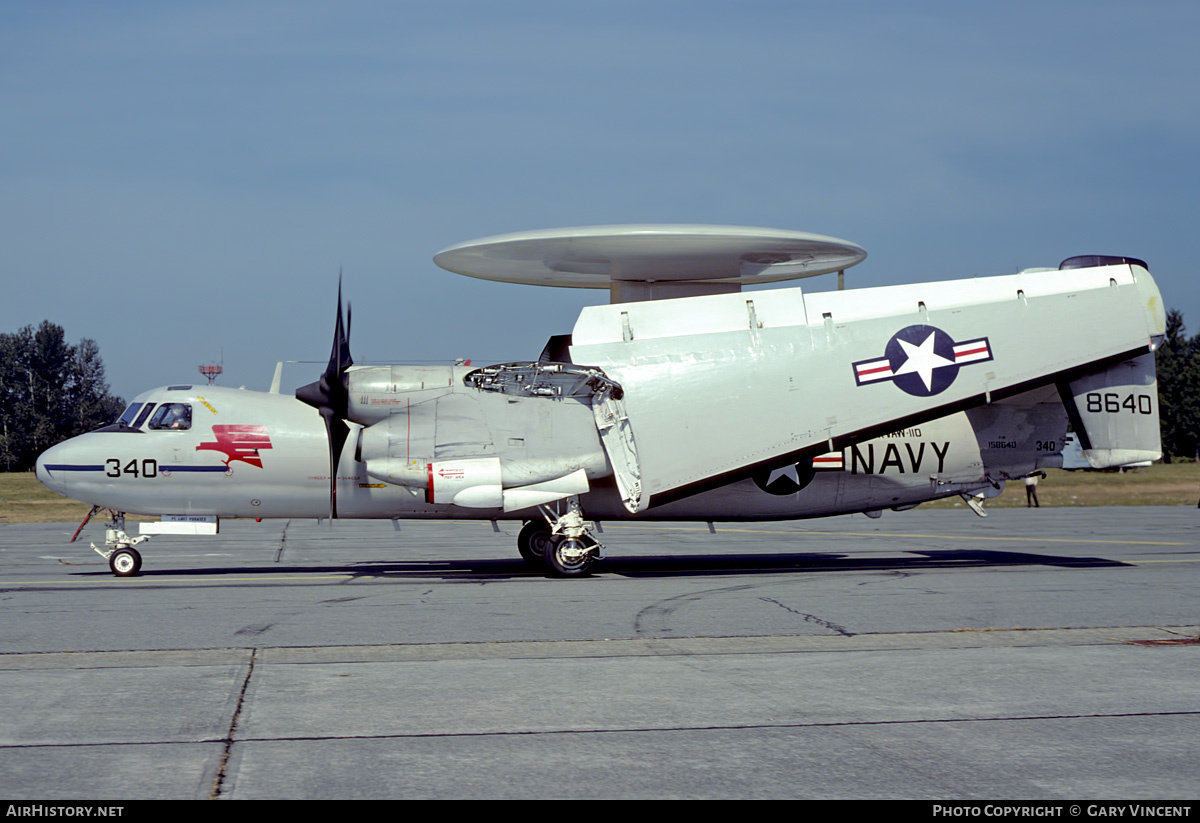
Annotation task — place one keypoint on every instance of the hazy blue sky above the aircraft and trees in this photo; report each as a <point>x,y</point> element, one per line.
<point>182,182</point>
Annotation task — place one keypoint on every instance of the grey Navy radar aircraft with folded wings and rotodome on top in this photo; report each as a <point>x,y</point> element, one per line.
<point>686,399</point>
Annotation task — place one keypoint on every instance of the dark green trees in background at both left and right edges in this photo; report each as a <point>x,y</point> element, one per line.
<point>51,391</point>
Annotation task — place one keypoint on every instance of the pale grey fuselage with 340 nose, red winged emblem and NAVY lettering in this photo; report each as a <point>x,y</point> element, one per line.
<point>248,454</point>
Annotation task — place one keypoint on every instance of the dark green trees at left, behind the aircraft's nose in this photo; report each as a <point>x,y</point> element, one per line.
<point>50,392</point>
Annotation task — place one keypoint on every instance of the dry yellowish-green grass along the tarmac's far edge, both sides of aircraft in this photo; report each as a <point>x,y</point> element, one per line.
<point>26,501</point>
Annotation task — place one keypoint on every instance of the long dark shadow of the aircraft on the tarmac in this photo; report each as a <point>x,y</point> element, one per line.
<point>649,567</point>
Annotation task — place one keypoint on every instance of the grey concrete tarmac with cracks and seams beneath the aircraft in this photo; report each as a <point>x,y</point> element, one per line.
<point>1036,654</point>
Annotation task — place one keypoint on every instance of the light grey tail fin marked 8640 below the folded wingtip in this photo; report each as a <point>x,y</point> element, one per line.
<point>1115,413</point>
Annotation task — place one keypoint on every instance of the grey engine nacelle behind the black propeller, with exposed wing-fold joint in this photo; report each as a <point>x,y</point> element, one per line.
<point>511,436</point>
